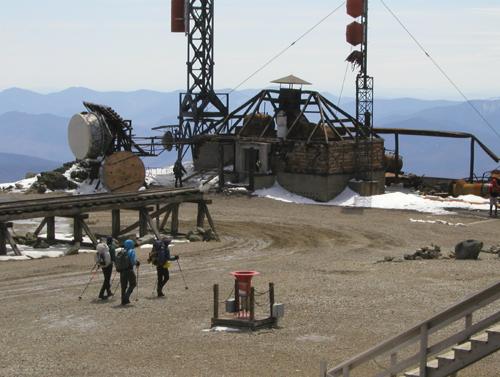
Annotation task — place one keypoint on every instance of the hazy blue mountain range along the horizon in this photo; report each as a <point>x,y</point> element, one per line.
<point>34,124</point>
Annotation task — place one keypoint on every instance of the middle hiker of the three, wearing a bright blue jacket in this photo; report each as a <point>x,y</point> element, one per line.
<point>125,261</point>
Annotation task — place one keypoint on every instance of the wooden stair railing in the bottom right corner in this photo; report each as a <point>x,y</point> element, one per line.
<point>420,334</point>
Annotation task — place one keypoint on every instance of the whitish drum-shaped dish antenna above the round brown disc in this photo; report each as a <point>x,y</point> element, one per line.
<point>88,136</point>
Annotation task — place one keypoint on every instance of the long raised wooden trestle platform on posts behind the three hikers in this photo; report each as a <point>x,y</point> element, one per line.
<point>151,205</point>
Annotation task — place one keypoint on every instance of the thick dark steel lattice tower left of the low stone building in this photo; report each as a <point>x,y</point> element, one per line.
<point>200,106</point>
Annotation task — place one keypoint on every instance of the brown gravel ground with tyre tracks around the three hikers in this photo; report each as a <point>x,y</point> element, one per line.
<point>338,300</point>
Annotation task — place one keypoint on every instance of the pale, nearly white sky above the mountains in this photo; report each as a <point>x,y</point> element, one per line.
<point>126,45</point>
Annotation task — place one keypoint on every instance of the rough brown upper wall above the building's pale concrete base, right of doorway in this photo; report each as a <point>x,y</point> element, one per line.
<point>337,157</point>
